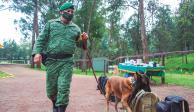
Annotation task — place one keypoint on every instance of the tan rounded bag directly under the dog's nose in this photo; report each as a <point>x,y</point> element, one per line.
<point>144,102</point>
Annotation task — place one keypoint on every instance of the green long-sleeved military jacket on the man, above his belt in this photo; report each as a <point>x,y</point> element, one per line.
<point>58,38</point>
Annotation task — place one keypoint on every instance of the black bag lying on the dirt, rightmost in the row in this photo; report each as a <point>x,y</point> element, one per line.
<point>173,104</point>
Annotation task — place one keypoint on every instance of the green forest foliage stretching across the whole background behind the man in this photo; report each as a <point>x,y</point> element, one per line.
<point>110,38</point>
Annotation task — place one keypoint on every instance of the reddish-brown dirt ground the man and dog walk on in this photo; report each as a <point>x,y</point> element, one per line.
<point>26,92</point>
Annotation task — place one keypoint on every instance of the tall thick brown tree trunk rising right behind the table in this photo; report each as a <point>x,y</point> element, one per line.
<point>143,33</point>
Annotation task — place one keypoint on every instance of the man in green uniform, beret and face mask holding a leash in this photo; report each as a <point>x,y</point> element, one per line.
<point>58,40</point>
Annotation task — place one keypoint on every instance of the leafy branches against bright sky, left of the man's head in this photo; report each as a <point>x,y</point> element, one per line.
<point>47,9</point>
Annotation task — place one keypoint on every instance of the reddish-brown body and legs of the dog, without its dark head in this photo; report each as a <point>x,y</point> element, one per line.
<point>121,88</point>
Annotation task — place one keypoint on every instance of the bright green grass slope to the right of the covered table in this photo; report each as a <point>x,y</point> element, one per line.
<point>178,72</point>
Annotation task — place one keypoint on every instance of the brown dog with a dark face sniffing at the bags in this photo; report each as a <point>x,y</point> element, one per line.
<point>125,89</point>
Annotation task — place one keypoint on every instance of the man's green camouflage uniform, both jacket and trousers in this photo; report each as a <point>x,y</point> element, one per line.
<point>58,38</point>
